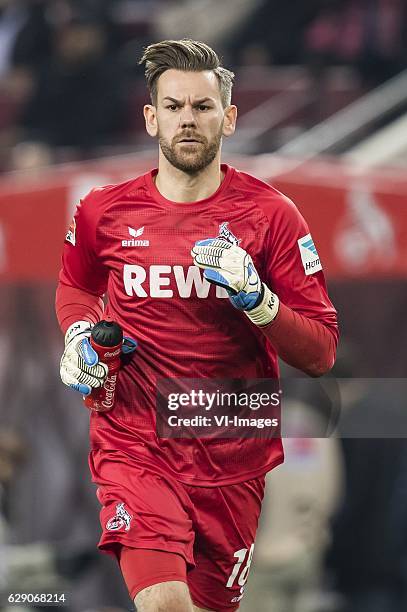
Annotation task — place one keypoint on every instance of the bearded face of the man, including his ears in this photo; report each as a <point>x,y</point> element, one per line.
<point>189,119</point>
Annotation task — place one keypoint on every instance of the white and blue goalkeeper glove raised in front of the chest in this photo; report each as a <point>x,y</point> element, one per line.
<point>231,267</point>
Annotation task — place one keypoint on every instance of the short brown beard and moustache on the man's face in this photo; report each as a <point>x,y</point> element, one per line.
<point>190,159</point>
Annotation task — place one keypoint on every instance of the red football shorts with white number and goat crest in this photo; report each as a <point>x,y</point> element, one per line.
<point>212,528</point>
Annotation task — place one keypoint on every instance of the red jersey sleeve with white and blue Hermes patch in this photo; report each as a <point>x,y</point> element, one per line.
<point>293,268</point>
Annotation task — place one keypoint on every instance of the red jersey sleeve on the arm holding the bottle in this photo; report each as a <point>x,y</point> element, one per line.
<point>82,268</point>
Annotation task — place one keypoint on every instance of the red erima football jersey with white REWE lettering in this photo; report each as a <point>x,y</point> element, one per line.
<point>131,242</point>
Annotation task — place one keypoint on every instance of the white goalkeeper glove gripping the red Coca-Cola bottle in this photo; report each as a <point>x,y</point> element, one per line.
<point>80,367</point>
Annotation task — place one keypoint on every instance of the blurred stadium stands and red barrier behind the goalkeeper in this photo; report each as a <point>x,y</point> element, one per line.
<point>322,95</point>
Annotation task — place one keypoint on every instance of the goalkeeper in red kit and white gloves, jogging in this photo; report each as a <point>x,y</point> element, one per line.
<point>216,275</point>
